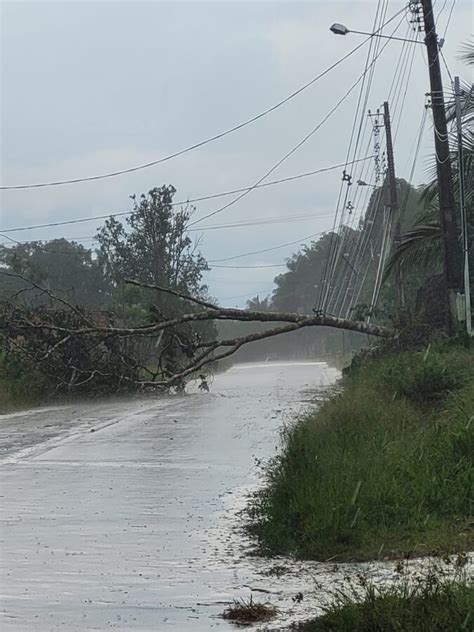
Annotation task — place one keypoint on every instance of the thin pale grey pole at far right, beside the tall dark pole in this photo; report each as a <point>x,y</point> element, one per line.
<point>462,204</point>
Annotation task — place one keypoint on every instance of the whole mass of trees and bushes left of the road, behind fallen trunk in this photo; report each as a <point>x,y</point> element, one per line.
<point>153,247</point>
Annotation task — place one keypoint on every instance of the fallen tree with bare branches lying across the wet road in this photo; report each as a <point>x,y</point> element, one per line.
<point>54,340</point>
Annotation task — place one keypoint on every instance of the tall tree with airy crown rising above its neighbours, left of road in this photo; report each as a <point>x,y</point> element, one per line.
<point>155,249</point>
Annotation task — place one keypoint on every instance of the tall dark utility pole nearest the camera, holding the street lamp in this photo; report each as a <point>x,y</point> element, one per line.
<point>449,234</point>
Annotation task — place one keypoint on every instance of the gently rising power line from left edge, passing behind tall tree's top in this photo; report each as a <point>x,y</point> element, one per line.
<point>183,202</point>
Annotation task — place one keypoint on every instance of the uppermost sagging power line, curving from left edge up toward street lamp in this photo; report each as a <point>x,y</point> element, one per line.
<point>211,139</point>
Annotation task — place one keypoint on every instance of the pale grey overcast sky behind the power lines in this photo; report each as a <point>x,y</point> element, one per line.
<point>93,87</point>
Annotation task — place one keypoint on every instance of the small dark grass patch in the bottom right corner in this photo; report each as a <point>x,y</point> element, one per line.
<point>432,606</point>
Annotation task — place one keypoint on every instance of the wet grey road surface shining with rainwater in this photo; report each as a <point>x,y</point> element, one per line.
<point>123,515</point>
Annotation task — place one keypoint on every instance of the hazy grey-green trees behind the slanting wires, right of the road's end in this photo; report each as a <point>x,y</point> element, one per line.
<point>349,260</point>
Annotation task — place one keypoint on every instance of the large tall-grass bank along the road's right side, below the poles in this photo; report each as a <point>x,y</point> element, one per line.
<point>383,469</point>
